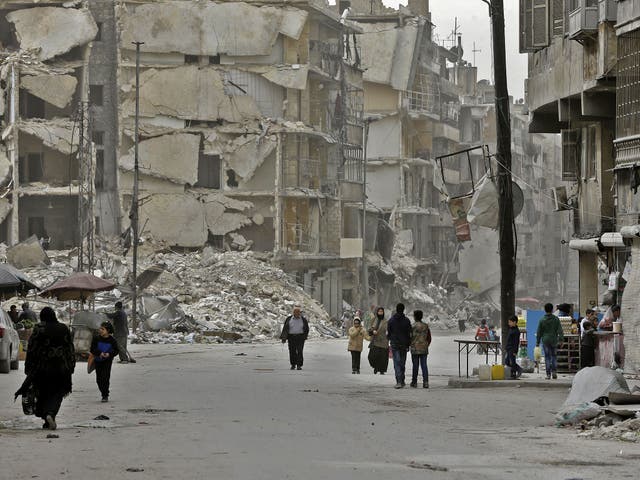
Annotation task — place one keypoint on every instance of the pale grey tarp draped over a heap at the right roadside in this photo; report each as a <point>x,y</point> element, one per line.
<point>592,383</point>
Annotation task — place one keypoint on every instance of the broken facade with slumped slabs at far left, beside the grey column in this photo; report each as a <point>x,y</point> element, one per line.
<point>43,67</point>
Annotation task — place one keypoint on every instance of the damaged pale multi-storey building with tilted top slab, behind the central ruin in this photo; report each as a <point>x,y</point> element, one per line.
<point>411,110</point>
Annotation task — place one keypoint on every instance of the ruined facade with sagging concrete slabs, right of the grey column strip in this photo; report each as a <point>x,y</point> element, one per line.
<point>250,131</point>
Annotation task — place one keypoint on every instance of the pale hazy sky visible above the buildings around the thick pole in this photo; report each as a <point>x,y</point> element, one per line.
<point>474,25</point>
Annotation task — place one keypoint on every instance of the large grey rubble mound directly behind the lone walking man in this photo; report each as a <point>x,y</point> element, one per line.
<point>235,292</point>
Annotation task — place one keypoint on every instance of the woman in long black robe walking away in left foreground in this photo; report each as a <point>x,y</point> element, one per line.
<point>49,365</point>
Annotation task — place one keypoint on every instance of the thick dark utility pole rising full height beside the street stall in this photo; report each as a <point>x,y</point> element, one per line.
<point>503,155</point>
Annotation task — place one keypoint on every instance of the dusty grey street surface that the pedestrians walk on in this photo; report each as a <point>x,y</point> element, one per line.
<point>238,412</point>
